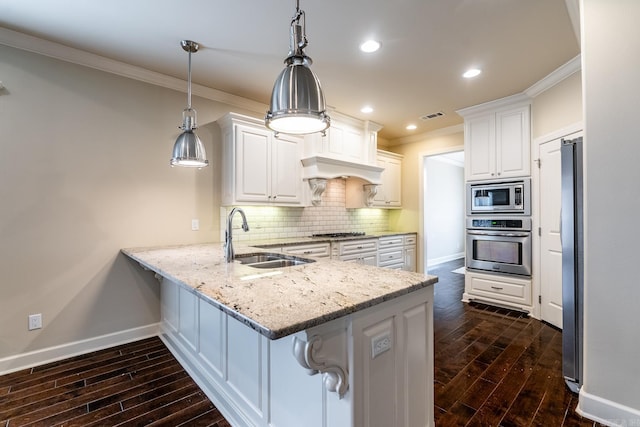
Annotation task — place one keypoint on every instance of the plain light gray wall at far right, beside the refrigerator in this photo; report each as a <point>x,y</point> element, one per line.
<point>611,42</point>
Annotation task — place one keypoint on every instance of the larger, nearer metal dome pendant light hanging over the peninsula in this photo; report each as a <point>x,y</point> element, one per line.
<point>297,102</point>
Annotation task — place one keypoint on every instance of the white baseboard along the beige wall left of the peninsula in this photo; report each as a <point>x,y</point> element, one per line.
<point>64,351</point>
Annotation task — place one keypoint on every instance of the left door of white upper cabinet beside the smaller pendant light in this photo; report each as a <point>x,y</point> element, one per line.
<point>253,157</point>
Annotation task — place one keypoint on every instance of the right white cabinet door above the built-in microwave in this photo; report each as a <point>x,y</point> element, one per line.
<point>513,143</point>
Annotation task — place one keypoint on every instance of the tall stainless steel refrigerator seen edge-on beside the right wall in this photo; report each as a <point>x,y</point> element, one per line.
<point>572,237</point>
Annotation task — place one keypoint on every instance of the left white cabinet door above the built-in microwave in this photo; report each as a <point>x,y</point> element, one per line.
<point>480,147</point>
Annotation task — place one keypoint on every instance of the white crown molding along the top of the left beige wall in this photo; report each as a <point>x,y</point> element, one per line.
<point>76,56</point>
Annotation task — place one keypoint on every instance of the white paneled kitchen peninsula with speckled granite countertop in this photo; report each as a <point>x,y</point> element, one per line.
<point>255,338</point>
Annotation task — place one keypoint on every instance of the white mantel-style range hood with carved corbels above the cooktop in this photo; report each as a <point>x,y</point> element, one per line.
<point>318,169</point>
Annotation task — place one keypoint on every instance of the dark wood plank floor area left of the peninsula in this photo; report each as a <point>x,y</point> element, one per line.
<point>133,385</point>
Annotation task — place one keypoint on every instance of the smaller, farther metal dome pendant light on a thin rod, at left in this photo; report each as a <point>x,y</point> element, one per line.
<point>188,151</point>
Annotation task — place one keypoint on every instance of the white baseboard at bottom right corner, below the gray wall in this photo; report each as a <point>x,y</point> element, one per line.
<point>606,411</point>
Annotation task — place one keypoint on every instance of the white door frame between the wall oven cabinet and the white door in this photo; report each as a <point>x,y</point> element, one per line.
<point>536,288</point>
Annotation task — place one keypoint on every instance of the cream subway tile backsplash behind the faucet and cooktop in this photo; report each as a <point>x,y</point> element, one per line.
<point>270,222</point>
